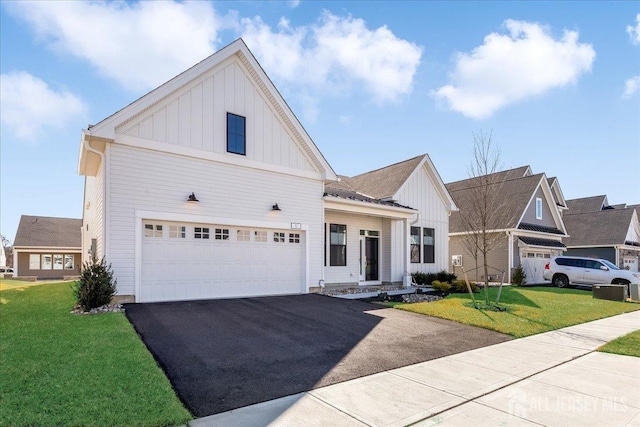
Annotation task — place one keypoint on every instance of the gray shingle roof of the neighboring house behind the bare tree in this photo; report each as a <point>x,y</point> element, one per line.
<point>514,193</point>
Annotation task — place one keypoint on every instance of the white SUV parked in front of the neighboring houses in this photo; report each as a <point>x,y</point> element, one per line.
<point>568,270</point>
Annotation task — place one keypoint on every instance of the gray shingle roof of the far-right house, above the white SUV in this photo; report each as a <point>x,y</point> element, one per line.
<point>606,227</point>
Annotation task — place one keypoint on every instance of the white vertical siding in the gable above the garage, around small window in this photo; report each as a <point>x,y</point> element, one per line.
<point>195,117</point>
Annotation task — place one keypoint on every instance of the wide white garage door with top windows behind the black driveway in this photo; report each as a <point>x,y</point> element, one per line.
<point>201,261</point>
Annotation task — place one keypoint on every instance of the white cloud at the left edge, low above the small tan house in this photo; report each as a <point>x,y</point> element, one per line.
<point>30,107</point>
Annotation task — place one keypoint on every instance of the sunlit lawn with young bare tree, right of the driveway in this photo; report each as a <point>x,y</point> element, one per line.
<point>531,310</point>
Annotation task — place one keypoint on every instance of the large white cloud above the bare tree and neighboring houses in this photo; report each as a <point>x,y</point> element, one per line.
<point>508,68</point>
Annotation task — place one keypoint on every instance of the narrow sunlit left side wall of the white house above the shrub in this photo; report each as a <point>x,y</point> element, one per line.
<point>93,214</point>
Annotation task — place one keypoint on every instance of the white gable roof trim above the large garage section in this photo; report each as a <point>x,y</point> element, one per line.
<point>105,130</point>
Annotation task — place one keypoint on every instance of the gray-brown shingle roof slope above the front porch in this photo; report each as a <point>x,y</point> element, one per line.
<point>383,183</point>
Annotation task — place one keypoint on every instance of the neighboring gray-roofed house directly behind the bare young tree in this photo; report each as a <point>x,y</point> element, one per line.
<point>532,227</point>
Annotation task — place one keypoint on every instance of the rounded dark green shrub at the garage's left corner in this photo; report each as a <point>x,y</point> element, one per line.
<point>96,286</point>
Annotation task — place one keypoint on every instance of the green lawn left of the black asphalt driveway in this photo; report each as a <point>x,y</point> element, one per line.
<point>60,369</point>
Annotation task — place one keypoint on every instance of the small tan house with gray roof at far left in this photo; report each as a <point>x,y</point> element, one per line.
<point>47,248</point>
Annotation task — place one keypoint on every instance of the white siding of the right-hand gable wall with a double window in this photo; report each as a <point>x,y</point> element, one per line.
<point>420,193</point>
